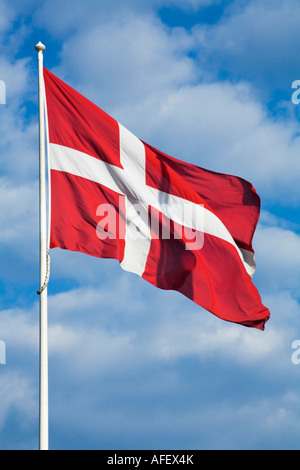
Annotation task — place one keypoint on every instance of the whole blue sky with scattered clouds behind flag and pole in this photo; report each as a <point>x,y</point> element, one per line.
<point>130,366</point>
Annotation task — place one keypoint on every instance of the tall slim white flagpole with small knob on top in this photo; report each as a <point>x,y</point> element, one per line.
<point>43,399</point>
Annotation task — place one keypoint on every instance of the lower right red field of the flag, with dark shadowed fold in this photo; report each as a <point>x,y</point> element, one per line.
<point>212,277</point>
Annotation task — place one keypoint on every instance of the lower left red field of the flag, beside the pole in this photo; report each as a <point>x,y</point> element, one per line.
<point>74,219</point>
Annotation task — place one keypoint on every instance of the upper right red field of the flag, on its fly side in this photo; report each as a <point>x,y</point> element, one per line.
<point>232,199</point>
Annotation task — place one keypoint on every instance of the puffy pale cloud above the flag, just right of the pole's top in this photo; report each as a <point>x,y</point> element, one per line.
<point>127,60</point>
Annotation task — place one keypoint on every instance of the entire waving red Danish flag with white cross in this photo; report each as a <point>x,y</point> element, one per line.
<point>177,225</point>
